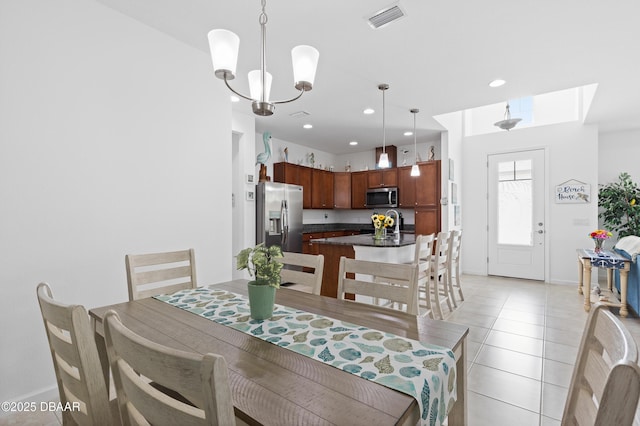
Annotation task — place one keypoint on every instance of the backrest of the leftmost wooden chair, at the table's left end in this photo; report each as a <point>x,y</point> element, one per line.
<point>75,361</point>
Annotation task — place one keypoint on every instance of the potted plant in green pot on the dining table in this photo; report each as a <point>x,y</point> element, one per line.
<point>262,265</point>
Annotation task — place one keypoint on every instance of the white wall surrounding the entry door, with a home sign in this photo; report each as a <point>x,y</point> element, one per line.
<point>571,153</point>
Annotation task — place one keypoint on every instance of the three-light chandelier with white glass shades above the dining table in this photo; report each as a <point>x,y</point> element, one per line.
<point>224,53</point>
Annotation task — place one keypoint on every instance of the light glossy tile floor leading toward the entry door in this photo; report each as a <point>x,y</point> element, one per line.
<point>522,345</point>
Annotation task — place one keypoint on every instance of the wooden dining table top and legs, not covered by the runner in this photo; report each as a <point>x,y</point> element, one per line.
<point>272,385</point>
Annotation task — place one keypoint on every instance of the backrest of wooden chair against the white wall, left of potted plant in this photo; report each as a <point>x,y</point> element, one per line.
<point>160,273</point>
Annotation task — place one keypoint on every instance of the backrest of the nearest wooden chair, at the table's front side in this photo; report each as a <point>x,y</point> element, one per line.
<point>202,379</point>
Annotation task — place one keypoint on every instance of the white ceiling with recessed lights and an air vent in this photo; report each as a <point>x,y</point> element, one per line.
<point>439,58</point>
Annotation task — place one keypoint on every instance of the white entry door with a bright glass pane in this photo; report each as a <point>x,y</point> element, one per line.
<point>516,214</point>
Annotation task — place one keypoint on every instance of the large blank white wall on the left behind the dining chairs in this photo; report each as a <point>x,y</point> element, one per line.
<point>114,139</point>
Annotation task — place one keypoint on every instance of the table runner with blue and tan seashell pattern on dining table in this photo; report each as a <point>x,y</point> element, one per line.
<point>426,372</point>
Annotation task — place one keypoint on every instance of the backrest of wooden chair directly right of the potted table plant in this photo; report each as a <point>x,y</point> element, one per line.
<point>296,267</point>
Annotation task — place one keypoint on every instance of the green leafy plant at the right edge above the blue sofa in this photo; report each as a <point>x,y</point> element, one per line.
<point>620,206</point>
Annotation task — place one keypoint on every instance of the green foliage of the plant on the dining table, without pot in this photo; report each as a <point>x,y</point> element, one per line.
<point>261,263</point>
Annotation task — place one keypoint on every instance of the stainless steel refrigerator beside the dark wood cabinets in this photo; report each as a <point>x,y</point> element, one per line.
<point>279,215</point>
